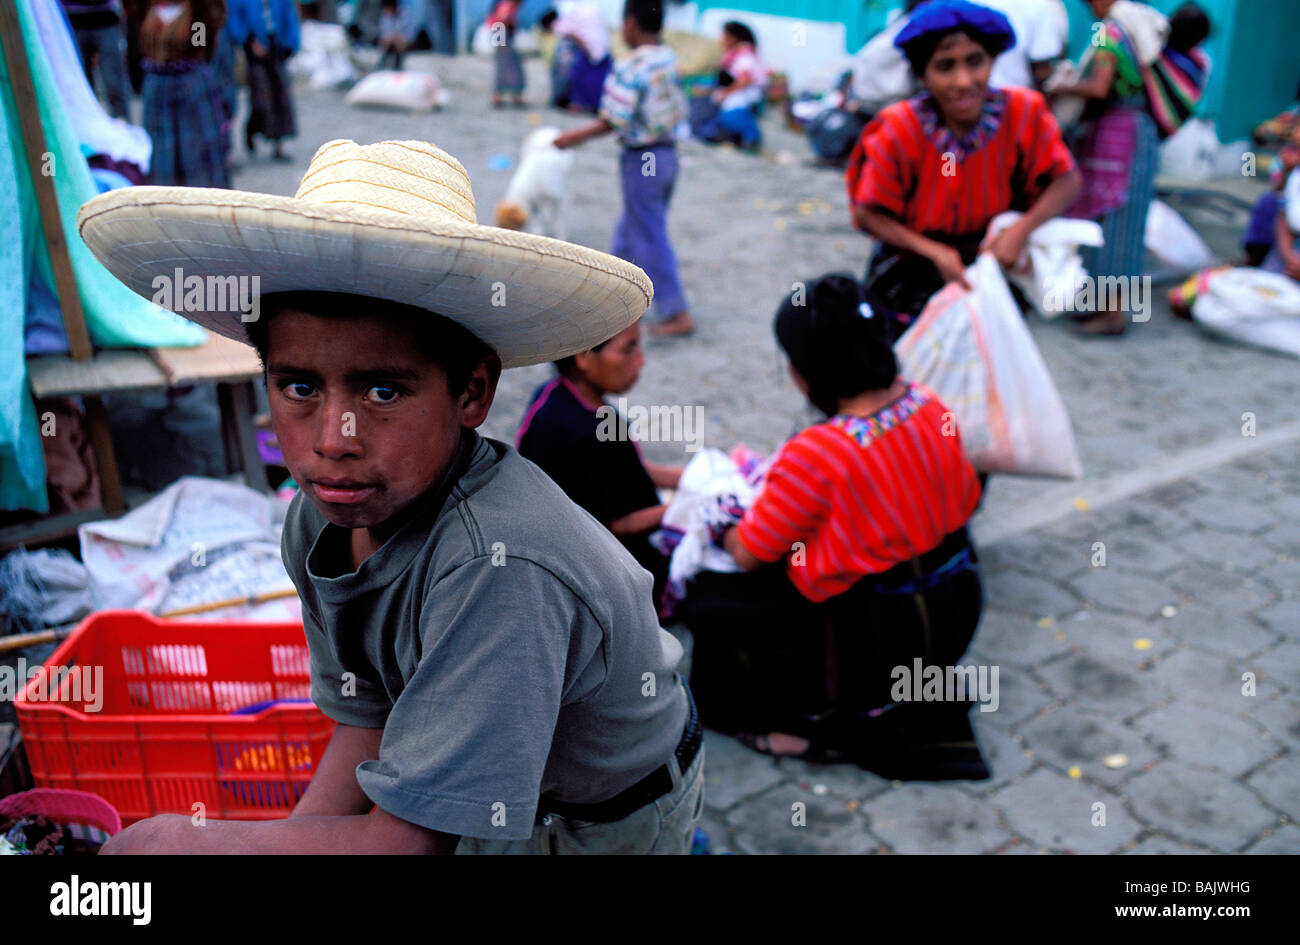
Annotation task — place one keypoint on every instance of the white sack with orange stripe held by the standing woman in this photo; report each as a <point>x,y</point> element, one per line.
<point>974,352</point>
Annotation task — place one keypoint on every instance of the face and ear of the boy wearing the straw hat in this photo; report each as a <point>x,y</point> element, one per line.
<point>366,423</point>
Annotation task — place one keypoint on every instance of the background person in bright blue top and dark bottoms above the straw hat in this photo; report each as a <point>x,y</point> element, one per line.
<point>270,34</point>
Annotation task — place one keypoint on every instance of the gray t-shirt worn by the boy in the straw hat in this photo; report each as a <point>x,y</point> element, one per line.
<point>502,639</point>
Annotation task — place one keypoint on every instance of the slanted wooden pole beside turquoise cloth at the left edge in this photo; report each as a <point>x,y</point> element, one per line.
<point>60,263</point>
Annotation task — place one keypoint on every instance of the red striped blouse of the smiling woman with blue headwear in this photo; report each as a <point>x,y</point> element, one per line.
<point>899,166</point>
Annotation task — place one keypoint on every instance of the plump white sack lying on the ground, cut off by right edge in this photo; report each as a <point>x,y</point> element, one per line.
<point>1253,307</point>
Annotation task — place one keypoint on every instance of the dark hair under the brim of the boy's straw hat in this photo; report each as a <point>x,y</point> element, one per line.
<point>440,340</point>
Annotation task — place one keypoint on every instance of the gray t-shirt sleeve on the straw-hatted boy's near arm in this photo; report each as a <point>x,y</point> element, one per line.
<point>466,745</point>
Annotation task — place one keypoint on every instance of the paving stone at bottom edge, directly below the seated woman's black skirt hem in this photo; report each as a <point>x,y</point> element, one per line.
<point>930,818</point>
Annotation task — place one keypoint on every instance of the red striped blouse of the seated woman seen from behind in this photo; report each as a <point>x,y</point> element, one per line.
<point>863,495</point>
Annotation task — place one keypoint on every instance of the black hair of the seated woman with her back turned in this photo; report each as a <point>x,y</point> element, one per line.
<point>838,350</point>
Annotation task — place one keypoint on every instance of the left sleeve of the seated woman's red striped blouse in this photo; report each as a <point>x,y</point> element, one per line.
<point>791,508</point>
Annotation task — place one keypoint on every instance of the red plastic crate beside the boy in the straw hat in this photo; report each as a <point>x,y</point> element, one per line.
<point>164,738</point>
